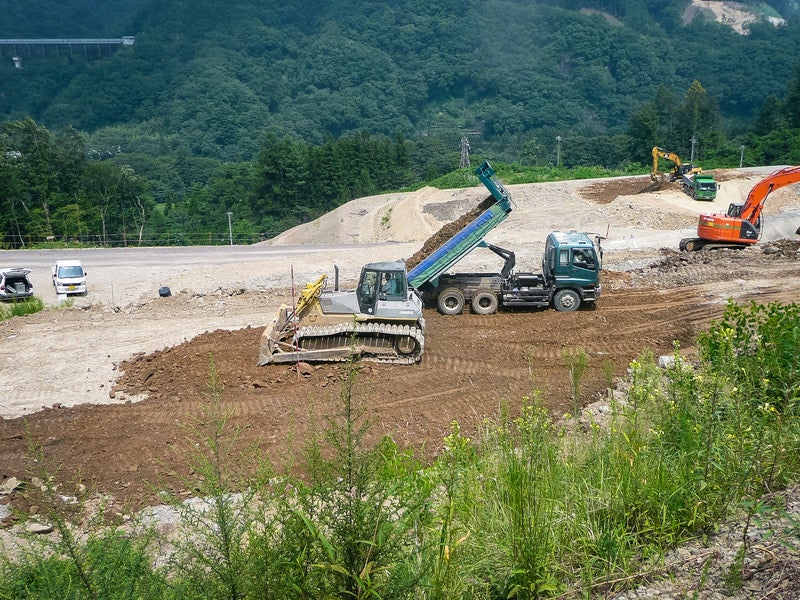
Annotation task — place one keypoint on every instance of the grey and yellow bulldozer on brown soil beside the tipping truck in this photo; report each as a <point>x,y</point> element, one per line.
<point>380,321</point>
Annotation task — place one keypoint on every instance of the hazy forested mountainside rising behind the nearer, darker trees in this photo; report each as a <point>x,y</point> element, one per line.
<point>210,83</point>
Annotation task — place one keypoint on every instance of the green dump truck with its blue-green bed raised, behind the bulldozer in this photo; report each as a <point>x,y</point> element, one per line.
<point>570,273</point>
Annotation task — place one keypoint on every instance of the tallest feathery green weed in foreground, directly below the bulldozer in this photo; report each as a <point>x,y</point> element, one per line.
<point>364,508</point>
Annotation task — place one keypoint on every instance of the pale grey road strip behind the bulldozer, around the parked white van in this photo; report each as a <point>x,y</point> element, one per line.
<point>124,275</point>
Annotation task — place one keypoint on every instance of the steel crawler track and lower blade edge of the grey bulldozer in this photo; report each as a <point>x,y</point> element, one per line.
<point>393,343</point>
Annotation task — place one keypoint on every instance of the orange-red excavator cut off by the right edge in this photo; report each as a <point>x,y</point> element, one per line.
<point>741,226</point>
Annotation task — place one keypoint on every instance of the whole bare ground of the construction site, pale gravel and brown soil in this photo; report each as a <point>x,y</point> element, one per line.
<point>109,386</point>
